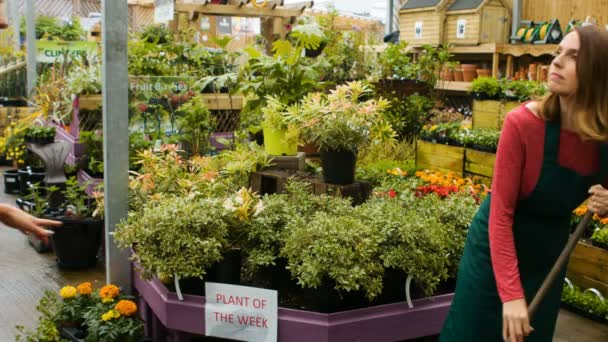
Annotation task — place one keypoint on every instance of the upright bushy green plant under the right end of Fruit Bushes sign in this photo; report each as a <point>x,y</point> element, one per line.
<point>196,124</point>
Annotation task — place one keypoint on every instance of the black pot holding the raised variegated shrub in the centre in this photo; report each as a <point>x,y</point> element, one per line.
<point>338,167</point>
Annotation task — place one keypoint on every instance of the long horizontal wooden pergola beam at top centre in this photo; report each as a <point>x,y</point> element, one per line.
<point>233,10</point>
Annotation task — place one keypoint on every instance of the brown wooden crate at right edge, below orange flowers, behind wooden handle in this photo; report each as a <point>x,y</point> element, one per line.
<point>588,267</point>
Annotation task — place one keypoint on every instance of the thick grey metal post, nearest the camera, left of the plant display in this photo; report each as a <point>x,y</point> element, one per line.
<point>116,135</point>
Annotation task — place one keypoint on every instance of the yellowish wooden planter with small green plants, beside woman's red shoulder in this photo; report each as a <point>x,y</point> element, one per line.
<point>449,147</point>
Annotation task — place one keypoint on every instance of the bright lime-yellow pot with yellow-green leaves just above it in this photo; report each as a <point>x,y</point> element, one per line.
<point>280,134</point>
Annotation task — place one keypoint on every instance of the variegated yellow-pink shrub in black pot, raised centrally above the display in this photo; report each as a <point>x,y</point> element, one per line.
<point>341,123</point>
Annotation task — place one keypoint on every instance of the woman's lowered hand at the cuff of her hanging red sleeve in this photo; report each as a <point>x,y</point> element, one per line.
<point>515,321</point>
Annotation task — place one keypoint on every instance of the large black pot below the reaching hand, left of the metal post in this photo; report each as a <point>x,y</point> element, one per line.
<point>76,242</point>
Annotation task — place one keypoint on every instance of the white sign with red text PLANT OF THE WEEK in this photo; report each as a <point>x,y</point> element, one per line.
<point>241,313</point>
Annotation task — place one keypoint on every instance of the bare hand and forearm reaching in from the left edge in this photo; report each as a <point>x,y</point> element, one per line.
<point>27,223</point>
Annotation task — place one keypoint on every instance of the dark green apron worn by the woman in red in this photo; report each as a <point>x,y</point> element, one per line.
<point>541,229</point>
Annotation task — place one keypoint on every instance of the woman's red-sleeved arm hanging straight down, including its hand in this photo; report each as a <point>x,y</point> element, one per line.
<point>506,185</point>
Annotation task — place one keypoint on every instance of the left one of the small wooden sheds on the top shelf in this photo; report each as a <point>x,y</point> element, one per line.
<point>477,22</point>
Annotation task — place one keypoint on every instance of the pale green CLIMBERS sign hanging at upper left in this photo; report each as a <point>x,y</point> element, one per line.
<point>53,51</point>
